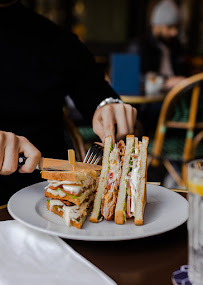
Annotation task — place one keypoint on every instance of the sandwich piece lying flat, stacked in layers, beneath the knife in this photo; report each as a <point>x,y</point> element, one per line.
<point>71,194</point>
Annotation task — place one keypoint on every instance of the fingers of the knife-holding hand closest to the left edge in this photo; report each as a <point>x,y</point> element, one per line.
<point>9,153</point>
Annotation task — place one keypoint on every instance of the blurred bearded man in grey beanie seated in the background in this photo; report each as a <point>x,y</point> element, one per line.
<point>161,51</point>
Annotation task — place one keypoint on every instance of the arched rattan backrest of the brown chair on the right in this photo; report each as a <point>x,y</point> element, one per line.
<point>191,120</point>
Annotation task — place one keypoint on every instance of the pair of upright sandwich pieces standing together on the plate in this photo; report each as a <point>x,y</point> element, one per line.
<point>121,192</point>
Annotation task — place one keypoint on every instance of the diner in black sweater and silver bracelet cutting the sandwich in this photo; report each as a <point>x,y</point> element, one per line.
<point>40,63</point>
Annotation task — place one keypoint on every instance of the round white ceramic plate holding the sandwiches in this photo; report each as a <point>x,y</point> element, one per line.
<point>165,210</point>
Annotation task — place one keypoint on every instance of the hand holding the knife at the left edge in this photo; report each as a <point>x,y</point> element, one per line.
<point>10,147</point>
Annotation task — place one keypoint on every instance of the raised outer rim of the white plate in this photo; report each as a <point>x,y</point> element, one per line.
<point>71,236</point>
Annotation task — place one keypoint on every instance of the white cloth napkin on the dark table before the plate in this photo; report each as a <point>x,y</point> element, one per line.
<point>31,257</point>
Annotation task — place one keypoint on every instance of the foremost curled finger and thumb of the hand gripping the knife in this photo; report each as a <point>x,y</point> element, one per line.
<point>32,154</point>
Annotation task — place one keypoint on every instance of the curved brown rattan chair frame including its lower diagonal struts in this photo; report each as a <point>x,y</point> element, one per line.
<point>193,83</point>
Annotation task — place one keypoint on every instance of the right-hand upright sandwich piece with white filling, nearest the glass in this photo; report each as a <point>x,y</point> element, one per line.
<point>132,191</point>
